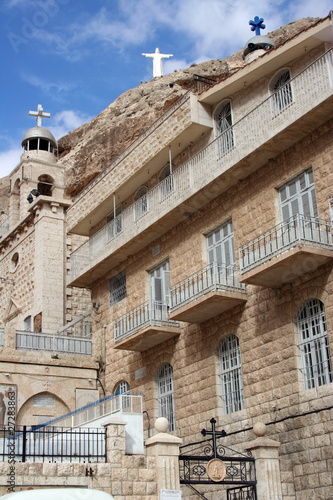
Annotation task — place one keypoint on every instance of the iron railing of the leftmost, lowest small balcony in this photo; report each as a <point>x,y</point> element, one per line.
<point>149,313</point>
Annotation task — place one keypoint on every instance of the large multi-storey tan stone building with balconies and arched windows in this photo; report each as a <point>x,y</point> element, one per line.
<point>209,253</point>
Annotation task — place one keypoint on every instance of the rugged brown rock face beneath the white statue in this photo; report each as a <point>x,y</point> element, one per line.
<point>91,148</point>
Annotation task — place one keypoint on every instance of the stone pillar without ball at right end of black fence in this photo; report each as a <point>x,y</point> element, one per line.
<point>115,440</point>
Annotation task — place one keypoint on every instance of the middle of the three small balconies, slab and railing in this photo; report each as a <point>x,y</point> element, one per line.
<point>211,291</point>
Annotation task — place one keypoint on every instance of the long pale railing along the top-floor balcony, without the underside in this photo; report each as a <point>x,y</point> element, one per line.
<point>309,88</point>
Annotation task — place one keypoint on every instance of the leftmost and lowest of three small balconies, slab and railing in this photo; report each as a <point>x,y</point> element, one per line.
<point>144,327</point>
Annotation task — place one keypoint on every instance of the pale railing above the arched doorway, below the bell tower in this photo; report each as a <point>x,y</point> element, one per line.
<point>55,343</point>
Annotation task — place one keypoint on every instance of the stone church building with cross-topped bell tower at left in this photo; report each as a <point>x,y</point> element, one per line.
<point>46,349</point>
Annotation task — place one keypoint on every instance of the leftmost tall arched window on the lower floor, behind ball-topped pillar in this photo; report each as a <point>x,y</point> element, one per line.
<point>166,404</point>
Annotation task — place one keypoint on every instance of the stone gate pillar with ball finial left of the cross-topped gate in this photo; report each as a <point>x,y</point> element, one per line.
<point>165,448</point>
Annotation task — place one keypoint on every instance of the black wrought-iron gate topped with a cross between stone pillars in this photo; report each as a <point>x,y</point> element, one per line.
<point>209,462</point>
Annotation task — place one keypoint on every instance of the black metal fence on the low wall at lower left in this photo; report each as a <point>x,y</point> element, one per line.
<point>52,444</point>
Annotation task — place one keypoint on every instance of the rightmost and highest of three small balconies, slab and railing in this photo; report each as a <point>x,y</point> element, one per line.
<point>286,252</point>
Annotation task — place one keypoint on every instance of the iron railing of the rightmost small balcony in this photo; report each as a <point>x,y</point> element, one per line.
<point>295,231</point>
